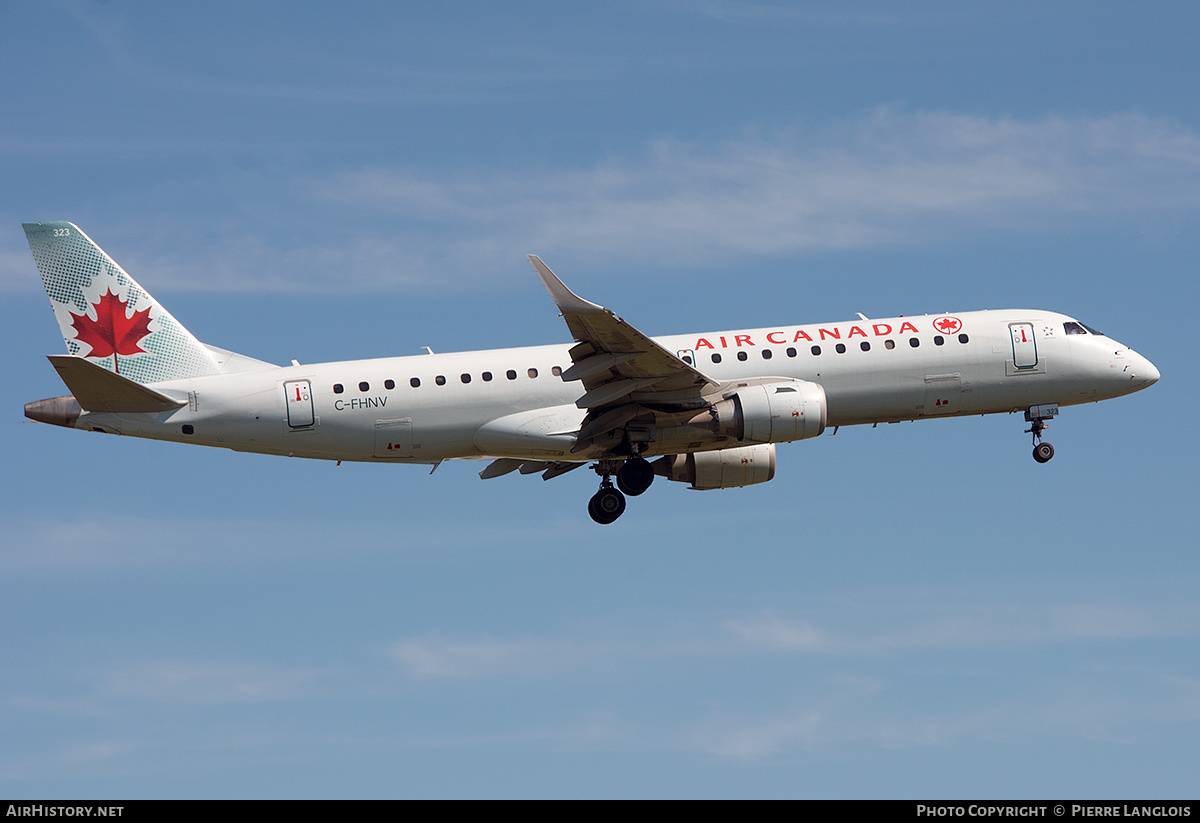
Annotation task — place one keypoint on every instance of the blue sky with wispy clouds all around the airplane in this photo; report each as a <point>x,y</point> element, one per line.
<point>911,611</point>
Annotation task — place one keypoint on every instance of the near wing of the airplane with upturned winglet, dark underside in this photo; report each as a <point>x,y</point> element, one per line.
<point>626,375</point>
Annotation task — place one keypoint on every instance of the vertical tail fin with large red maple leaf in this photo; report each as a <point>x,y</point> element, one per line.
<point>106,317</point>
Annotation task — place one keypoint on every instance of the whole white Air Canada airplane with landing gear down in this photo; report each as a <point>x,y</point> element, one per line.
<point>706,410</point>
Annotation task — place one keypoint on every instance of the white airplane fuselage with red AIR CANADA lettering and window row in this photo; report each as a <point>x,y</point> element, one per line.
<point>513,403</point>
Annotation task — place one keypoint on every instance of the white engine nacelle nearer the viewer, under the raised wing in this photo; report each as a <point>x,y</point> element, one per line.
<point>778,412</point>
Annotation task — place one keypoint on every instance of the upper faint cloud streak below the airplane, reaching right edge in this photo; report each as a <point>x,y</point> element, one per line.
<point>850,633</point>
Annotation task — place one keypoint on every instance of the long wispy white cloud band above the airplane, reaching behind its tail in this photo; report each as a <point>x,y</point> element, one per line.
<point>887,178</point>
